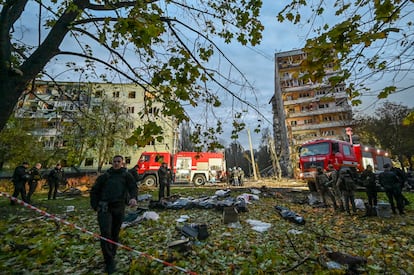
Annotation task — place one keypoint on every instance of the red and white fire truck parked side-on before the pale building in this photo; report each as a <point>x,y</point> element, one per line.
<point>195,167</point>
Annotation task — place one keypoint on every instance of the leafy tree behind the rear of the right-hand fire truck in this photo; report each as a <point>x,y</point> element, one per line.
<point>386,129</point>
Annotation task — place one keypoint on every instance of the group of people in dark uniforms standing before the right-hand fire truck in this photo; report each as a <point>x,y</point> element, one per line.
<point>340,188</point>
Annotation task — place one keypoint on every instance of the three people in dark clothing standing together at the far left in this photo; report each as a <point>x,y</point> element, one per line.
<point>24,176</point>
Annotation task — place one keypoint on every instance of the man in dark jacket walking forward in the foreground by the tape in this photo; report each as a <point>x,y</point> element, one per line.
<point>108,197</point>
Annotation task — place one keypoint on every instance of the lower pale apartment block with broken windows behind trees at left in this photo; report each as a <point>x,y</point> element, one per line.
<point>52,107</point>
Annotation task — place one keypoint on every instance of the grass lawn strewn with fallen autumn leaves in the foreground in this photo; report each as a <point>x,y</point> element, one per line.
<point>34,244</point>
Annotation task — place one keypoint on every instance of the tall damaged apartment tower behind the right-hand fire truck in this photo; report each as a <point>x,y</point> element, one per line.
<point>304,110</point>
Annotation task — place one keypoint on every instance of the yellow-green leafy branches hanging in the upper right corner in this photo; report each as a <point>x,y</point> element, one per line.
<point>372,40</point>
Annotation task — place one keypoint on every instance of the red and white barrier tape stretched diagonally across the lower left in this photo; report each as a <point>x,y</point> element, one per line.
<point>65,222</point>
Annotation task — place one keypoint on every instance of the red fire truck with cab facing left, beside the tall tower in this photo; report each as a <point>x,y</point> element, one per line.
<point>340,154</point>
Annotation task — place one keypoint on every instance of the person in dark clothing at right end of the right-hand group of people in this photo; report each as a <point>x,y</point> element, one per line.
<point>389,181</point>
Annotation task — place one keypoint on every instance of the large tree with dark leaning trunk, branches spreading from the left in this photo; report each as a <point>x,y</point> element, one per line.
<point>166,47</point>
